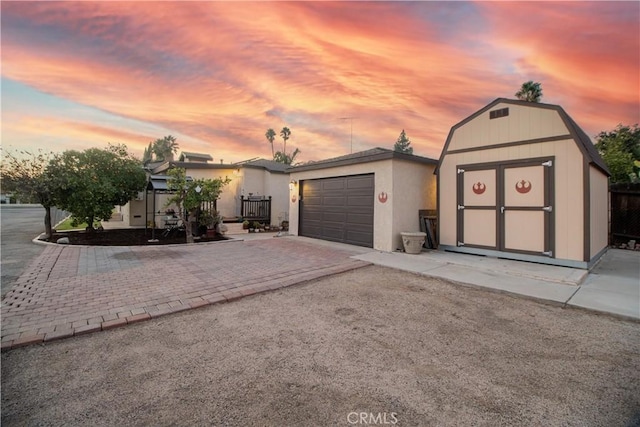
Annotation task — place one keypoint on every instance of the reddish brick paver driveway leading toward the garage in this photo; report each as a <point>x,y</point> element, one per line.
<point>75,290</point>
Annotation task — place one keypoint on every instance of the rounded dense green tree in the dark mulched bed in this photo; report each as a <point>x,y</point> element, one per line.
<point>90,183</point>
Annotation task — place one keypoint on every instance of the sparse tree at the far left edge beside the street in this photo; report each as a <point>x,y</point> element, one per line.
<point>27,177</point>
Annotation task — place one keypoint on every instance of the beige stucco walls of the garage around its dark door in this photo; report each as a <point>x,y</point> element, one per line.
<point>408,187</point>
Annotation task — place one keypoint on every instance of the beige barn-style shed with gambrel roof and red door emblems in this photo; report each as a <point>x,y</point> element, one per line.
<point>521,180</point>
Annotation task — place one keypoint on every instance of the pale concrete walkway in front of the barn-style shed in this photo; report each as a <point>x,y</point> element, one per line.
<point>613,286</point>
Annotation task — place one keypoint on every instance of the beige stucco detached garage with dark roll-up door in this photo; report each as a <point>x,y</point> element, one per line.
<point>366,198</point>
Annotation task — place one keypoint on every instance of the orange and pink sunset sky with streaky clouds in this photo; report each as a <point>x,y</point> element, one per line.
<point>217,75</point>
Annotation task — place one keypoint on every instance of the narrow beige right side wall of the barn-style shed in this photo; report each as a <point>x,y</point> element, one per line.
<point>598,210</point>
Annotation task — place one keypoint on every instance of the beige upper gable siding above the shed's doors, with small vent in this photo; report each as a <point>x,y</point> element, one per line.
<point>523,123</point>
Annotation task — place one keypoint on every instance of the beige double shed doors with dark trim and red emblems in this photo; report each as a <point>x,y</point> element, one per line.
<point>507,207</point>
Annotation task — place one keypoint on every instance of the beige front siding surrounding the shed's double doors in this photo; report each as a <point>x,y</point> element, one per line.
<point>568,207</point>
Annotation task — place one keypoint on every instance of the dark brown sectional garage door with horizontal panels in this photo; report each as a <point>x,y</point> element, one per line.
<point>338,209</point>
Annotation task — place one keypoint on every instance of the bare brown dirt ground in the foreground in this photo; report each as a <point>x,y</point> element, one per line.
<point>371,346</point>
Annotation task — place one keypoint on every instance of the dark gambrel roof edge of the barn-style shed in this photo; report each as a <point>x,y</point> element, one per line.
<point>579,136</point>
